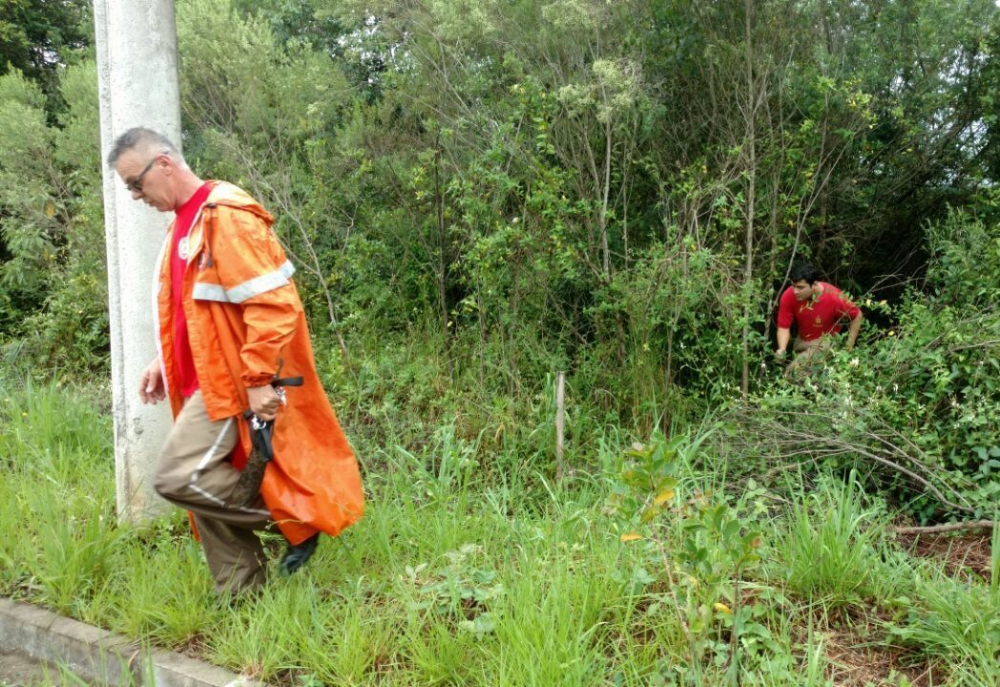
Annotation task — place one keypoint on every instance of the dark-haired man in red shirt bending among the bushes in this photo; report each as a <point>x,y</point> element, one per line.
<point>819,311</point>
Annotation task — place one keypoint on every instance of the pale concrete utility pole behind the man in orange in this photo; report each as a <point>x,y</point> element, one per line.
<point>138,85</point>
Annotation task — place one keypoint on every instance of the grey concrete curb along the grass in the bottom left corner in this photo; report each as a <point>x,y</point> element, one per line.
<point>100,656</point>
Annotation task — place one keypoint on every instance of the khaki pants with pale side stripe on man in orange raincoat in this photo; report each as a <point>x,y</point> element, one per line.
<point>194,473</point>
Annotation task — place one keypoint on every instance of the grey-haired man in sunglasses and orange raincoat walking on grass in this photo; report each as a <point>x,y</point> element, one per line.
<point>229,318</point>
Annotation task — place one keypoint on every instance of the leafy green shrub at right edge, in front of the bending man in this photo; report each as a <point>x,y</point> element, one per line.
<point>918,405</point>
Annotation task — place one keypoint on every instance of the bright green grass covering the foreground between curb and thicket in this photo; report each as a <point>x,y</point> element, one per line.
<point>468,573</point>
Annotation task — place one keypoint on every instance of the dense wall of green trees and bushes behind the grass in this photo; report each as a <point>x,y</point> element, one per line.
<point>480,194</point>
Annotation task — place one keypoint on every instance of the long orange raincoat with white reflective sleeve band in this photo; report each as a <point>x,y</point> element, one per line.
<point>243,316</point>
